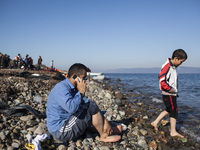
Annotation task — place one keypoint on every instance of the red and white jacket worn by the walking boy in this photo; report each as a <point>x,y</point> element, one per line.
<point>168,78</point>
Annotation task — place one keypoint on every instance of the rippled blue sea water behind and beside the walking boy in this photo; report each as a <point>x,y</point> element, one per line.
<point>148,85</point>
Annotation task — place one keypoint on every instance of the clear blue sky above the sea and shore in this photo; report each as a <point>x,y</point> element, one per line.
<point>102,34</point>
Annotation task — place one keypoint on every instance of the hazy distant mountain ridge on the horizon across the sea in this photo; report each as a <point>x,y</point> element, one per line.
<point>180,69</point>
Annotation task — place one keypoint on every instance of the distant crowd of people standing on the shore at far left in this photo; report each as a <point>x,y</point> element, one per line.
<point>19,63</point>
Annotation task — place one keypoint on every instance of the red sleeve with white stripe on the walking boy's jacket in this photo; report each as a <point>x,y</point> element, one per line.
<point>164,86</point>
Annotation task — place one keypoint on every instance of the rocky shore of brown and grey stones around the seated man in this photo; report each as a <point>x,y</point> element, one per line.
<point>23,97</point>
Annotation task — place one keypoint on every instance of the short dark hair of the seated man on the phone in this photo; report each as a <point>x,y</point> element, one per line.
<point>77,68</point>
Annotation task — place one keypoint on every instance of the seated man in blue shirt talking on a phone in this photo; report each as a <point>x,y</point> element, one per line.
<point>70,113</point>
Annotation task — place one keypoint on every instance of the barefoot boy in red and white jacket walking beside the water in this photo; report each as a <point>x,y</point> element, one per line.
<point>168,85</point>
